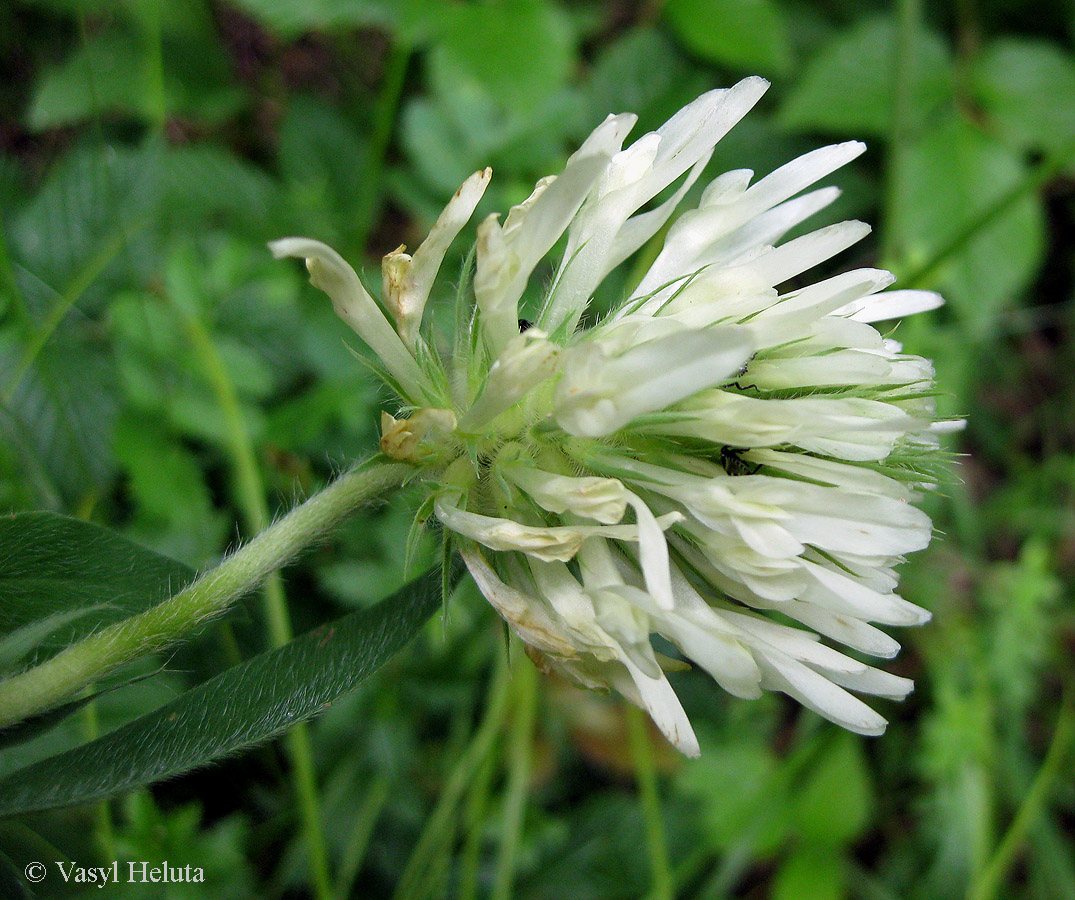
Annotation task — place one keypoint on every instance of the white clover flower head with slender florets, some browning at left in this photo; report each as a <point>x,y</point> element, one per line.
<point>715,450</point>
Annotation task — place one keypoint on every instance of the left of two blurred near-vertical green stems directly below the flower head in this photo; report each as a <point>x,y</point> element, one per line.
<point>519,777</point>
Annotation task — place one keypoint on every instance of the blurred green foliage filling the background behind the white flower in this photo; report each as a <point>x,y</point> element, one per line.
<point>149,150</point>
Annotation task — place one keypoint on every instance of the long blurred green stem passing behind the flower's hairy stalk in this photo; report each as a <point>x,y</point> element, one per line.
<point>255,511</point>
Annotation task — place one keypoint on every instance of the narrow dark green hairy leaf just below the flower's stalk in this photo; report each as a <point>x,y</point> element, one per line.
<point>238,709</point>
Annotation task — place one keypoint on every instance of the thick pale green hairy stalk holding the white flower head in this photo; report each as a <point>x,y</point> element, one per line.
<point>93,659</point>
